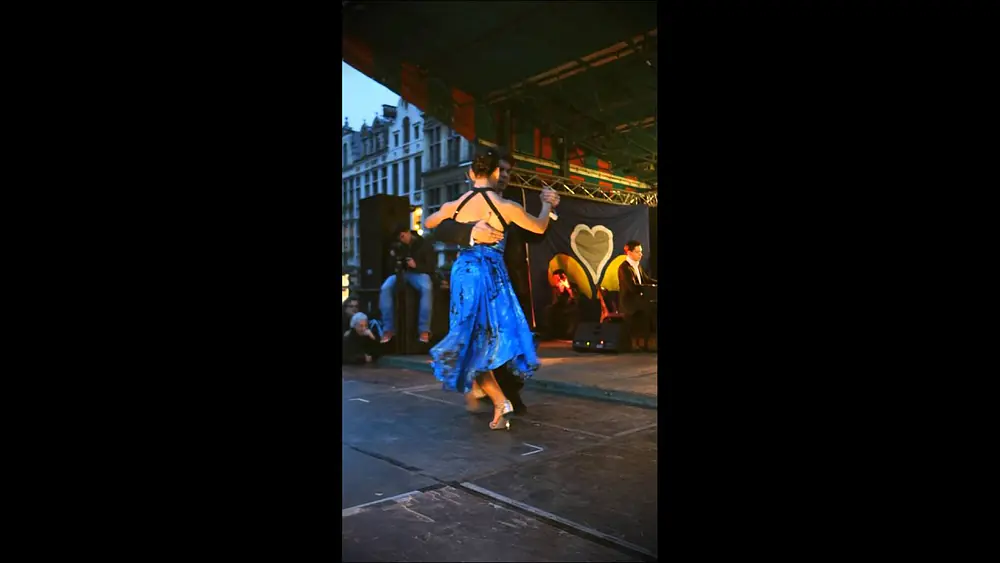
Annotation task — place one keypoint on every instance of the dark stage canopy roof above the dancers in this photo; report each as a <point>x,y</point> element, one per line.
<point>581,71</point>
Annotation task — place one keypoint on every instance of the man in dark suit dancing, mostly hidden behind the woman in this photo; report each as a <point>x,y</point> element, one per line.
<point>451,231</point>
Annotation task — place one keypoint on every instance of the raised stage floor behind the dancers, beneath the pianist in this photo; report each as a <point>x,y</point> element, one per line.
<point>629,378</point>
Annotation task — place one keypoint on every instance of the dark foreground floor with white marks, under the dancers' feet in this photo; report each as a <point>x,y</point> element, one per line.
<point>423,480</point>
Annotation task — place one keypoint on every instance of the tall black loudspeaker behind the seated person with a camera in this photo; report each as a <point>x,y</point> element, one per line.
<point>380,215</point>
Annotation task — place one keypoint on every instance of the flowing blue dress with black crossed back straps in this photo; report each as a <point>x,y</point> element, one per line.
<point>486,326</point>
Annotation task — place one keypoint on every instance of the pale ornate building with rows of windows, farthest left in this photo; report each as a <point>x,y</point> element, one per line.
<point>385,157</point>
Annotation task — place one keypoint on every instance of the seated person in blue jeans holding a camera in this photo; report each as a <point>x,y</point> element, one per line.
<point>417,256</point>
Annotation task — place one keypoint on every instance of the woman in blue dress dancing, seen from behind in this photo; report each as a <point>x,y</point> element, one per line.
<point>486,327</point>
